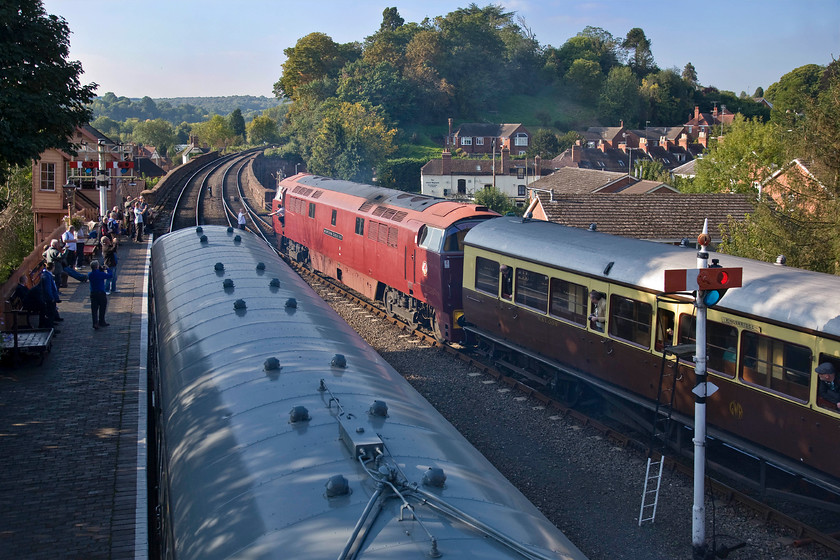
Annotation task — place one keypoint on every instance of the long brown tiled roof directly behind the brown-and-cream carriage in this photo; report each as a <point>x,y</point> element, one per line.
<point>668,218</point>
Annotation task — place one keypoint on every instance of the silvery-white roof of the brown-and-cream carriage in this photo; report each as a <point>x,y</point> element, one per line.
<point>804,299</point>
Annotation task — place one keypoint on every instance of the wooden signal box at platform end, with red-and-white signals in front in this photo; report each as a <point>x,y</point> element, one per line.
<point>65,184</point>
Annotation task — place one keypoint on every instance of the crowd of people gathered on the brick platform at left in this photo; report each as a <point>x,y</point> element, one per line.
<point>64,256</point>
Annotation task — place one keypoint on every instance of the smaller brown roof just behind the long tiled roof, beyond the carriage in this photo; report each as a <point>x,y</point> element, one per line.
<point>571,180</point>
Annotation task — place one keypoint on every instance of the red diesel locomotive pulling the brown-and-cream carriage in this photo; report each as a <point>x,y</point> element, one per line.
<point>404,250</point>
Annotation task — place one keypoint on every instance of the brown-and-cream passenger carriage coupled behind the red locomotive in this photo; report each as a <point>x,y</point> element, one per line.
<point>526,296</point>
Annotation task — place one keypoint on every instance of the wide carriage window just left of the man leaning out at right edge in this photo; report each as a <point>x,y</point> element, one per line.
<point>775,364</point>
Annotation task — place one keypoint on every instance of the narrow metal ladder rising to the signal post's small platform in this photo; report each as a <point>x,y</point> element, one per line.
<point>661,429</point>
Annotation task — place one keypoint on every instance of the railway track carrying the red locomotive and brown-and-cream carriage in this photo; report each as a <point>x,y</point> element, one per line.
<point>725,493</point>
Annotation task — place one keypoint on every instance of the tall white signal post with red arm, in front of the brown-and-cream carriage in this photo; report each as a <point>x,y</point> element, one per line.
<point>710,283</point>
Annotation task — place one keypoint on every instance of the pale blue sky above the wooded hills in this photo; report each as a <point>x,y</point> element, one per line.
<point>187,48</point>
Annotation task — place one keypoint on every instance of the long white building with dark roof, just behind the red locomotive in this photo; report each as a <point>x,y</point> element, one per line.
<point>461,178</point>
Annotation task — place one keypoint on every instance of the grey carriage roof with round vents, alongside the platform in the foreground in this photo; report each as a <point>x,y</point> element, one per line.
<point>281,434</point>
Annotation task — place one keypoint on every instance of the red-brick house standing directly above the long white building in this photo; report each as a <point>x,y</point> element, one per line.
<point>488,138</point>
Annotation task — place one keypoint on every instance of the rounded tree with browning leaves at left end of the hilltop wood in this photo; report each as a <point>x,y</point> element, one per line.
<point>313,57</point>
